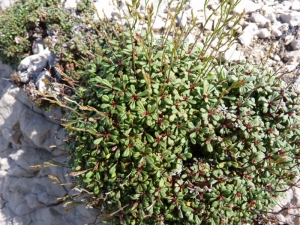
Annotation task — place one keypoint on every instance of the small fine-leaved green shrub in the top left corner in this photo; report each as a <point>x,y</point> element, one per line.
<point>27,21</point>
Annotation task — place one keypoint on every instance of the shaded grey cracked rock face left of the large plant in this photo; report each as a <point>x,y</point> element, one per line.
<point>27,195</point>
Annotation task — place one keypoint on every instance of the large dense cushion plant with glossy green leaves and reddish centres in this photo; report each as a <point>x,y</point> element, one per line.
<point>160,132</point>
